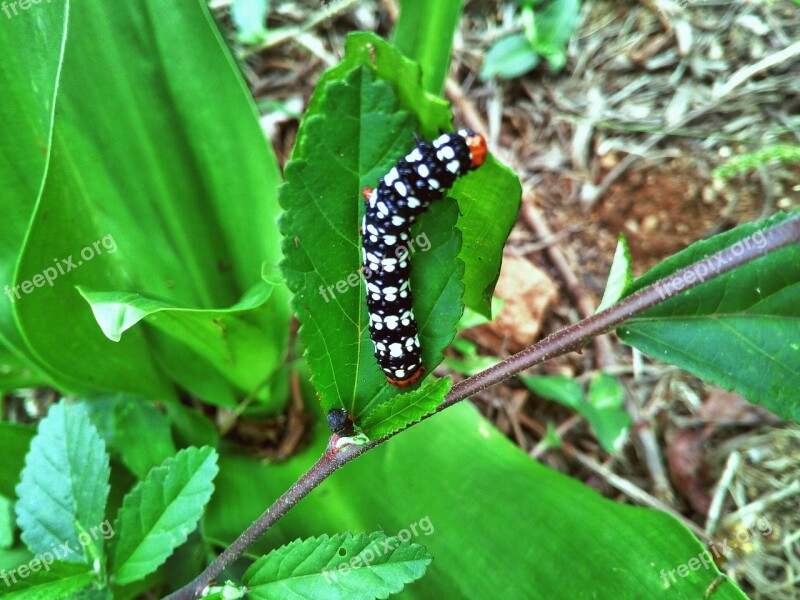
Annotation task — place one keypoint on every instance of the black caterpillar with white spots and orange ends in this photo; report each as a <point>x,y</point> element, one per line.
<point>402,195</point>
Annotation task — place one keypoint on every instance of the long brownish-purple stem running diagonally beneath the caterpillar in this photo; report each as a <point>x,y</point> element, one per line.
<point>566,340</point>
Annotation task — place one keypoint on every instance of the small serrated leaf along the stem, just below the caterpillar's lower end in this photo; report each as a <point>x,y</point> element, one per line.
<point>405,409</point>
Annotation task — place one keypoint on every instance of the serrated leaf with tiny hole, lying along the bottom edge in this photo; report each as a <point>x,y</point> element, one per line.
<point>360,567</point>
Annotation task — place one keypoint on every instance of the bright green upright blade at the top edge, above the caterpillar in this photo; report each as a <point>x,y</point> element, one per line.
<point>424,33</point>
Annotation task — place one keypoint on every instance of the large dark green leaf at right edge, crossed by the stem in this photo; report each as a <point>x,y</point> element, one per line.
<point>739,330</point>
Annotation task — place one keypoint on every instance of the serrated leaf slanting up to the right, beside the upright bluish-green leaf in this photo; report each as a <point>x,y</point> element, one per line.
<point>158,514</point>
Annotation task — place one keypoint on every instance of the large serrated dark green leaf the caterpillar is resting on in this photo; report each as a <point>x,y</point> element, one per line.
<point>360,125</point>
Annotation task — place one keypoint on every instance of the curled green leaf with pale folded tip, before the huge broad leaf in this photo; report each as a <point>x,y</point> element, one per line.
<point>230,341</point>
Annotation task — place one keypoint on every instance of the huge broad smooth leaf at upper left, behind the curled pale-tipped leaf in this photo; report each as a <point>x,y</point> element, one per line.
<point>160,182</point>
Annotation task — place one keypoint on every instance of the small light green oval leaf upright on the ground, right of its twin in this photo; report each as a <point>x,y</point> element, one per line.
<point>606,415</point>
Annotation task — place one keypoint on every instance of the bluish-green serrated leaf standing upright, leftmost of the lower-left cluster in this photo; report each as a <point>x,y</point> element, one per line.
<point>64,484</point>
